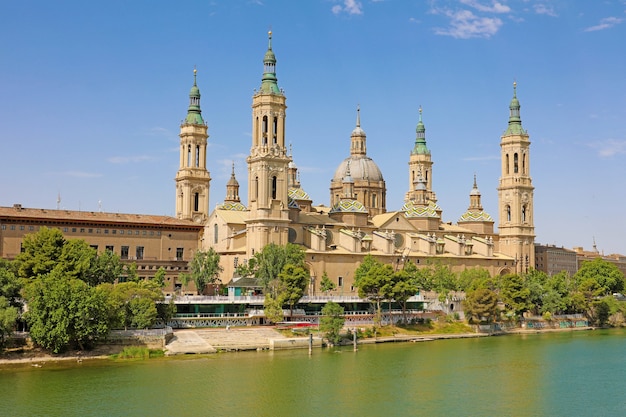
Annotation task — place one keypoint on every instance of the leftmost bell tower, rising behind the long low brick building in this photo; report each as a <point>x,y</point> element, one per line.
<point>193,179</point>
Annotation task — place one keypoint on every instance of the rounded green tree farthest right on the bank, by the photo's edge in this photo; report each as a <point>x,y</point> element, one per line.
<point>607,277</point>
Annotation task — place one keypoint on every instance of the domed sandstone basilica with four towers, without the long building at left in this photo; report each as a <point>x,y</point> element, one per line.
<point>355,223</point>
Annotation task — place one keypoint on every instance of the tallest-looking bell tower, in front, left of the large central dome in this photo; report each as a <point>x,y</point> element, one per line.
<point>268,163</point>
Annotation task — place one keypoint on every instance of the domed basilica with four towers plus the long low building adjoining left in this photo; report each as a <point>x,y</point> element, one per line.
<point>337,236</point>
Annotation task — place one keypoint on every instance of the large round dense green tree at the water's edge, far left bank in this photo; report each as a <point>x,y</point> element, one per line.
<point>65,312</point>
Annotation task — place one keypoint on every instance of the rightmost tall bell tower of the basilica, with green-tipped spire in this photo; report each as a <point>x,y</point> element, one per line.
<point>515,193</point>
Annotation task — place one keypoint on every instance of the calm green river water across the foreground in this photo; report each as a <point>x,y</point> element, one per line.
<point>557,374</point>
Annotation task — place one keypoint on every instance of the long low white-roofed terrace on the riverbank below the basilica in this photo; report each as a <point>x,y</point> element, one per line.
<point>223,311</point>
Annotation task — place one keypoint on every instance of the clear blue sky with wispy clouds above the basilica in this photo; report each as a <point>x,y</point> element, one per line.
<point>92,95</point>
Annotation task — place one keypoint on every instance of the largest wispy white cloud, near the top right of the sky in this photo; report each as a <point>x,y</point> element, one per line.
<point>465,24</point>
